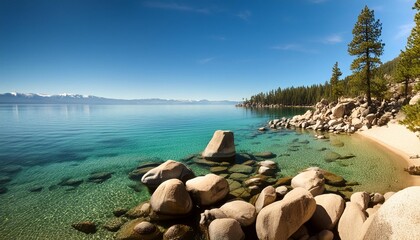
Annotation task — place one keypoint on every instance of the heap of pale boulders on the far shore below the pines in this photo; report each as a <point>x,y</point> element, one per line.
<point>346,115</point>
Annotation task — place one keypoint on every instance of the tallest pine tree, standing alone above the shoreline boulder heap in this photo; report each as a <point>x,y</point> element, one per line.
<point>367,46</point>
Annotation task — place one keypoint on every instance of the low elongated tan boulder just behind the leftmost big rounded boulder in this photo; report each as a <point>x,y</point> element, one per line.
<point>167,170</point>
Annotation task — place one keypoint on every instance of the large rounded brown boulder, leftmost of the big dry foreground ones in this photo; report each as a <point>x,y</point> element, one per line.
<point>171,198</point>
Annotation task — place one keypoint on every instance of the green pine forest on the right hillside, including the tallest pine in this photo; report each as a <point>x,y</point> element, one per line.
<point>370,77</point>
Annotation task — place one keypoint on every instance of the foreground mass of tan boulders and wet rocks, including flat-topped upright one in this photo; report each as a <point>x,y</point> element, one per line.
<point>243,199</point>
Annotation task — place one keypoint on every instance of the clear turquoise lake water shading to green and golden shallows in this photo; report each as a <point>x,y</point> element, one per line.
<point>46,143</point>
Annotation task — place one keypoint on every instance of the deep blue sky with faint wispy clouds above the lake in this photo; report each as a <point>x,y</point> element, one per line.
<point>183,49</point>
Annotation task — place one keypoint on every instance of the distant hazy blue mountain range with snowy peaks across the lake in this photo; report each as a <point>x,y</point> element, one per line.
<point>32,98</point>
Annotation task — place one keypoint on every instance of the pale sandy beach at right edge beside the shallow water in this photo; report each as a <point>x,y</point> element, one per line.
<point>398,139</point>
